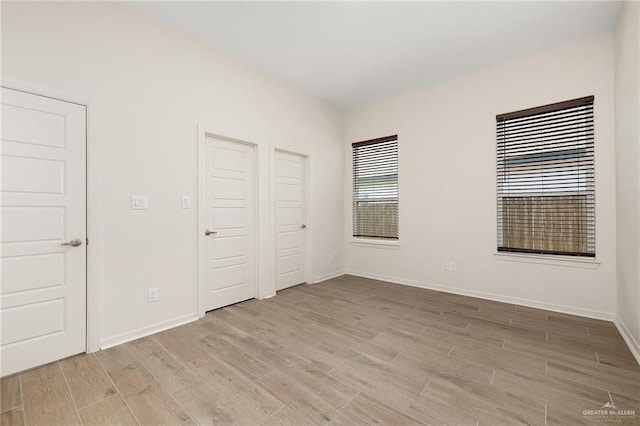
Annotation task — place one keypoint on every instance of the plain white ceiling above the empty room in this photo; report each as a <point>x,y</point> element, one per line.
<point>351,53</point>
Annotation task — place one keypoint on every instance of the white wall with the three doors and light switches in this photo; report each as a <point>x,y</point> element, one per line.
<point>148,87</point>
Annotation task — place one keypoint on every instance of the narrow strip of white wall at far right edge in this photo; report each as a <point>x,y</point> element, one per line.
<point>627,95</point>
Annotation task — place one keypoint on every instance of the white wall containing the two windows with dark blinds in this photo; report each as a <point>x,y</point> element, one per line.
<point>447,149</point>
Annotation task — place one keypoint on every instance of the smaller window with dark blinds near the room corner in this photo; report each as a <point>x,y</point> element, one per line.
<point>375,188</point>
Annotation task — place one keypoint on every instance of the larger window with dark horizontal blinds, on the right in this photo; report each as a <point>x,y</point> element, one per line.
<point>545,170</point>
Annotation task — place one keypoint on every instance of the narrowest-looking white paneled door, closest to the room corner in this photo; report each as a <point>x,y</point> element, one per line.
<point>290,218</point>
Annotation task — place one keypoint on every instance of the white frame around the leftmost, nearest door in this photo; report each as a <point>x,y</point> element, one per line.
<point>93,197</point>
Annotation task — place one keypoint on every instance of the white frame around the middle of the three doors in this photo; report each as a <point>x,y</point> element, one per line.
<point>203,133</point>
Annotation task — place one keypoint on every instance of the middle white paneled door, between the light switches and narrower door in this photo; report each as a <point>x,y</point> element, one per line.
<point>230,222</point>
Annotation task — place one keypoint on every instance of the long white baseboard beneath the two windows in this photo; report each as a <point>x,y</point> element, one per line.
<point>491,296</point>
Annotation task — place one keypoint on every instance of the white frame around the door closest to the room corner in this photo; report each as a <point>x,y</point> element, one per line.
<point>308,238</point>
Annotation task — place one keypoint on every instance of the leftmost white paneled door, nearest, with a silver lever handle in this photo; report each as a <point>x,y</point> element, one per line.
<point>43,208</point>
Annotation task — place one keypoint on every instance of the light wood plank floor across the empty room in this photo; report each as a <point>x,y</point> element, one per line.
<point>346,351</point>
